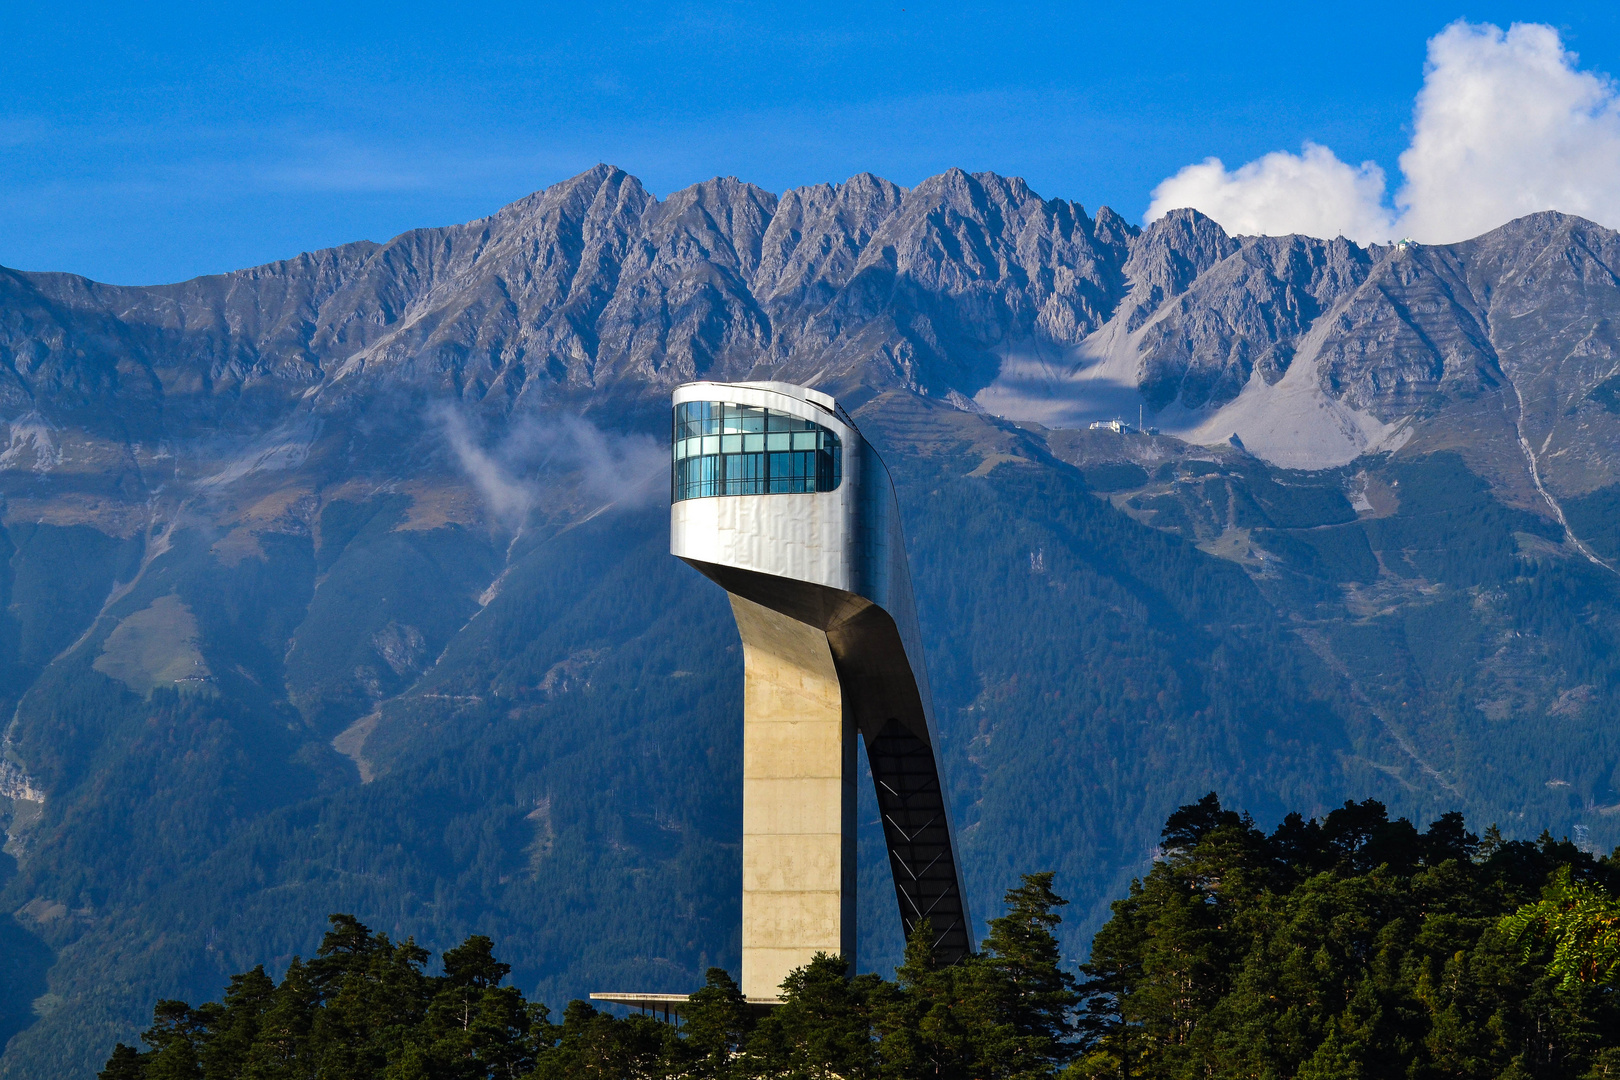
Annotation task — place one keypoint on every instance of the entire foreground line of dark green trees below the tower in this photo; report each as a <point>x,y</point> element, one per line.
<point>1354,946</point>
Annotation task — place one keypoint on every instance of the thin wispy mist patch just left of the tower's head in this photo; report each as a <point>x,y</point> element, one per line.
<point>615,469</point>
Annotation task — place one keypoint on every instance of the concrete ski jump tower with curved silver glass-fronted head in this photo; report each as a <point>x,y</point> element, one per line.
<point>780,501</point>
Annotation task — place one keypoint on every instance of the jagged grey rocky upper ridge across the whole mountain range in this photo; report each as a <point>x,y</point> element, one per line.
<point>595,292</point>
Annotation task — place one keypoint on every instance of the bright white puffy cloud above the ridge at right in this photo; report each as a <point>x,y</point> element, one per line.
<point>1506,125</point>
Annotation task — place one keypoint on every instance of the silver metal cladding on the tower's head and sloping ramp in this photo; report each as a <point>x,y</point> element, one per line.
<point>837,563</point>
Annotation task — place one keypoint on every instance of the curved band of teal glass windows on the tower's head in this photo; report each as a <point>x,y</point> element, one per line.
<point>723,449</point>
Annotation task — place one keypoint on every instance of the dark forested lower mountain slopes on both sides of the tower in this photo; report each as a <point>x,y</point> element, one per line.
<point>569,762</point>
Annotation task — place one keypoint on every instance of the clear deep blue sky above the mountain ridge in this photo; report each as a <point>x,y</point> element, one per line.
<point>156,143</point>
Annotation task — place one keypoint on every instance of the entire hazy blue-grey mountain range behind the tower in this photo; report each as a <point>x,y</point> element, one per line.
<point>341,584</point>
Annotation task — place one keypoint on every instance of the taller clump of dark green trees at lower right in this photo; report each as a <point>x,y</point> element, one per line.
<point>1347,946</point>
